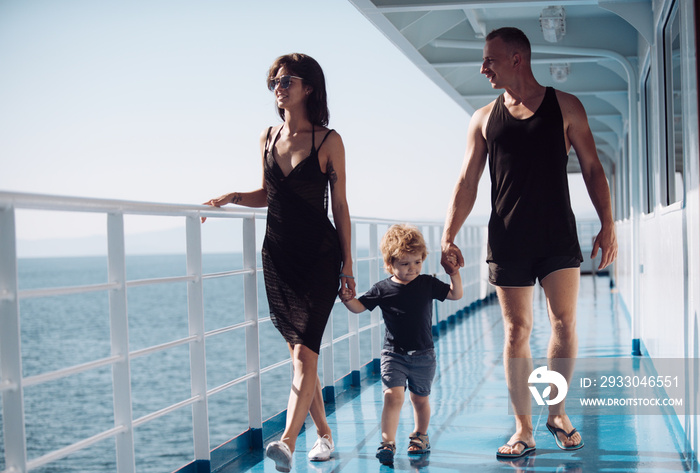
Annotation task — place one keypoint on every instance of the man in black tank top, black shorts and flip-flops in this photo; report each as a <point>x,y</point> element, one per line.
<point>527,133</point>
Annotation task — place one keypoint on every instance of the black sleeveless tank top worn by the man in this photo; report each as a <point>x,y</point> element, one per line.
<point>531,214</point>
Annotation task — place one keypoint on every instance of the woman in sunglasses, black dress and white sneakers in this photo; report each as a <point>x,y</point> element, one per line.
<point>303,253</point>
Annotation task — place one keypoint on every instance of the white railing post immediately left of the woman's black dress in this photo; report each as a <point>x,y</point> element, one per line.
<point>252,333</point>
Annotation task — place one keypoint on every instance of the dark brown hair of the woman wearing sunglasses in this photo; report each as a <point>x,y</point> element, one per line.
<point>307,68</point>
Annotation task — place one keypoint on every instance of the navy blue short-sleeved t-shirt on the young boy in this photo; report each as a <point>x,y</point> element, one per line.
<point>407,310</point>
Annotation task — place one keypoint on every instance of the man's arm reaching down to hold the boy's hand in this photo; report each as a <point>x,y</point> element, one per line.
<point>465,191</point>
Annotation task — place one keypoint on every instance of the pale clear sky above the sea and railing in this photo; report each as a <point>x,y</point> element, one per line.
<point>164,101</point>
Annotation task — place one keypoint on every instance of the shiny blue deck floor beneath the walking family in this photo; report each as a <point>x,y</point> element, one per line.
<point>470,415</point>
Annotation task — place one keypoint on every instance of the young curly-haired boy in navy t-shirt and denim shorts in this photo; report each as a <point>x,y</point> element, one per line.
<point>406,300</point>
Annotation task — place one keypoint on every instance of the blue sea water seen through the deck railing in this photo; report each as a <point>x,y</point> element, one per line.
<point>62,331</point>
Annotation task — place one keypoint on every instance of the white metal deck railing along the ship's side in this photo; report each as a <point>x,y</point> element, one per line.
<point>12,382</point>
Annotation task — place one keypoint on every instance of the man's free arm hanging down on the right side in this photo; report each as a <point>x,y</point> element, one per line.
<point>579,134</point>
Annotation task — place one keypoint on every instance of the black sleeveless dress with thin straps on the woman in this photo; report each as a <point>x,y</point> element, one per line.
<point>301,253</point>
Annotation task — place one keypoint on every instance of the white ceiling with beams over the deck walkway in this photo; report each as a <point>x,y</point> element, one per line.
<point>445,40</point>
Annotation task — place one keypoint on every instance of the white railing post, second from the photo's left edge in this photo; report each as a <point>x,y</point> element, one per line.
<point>119,335</point>
